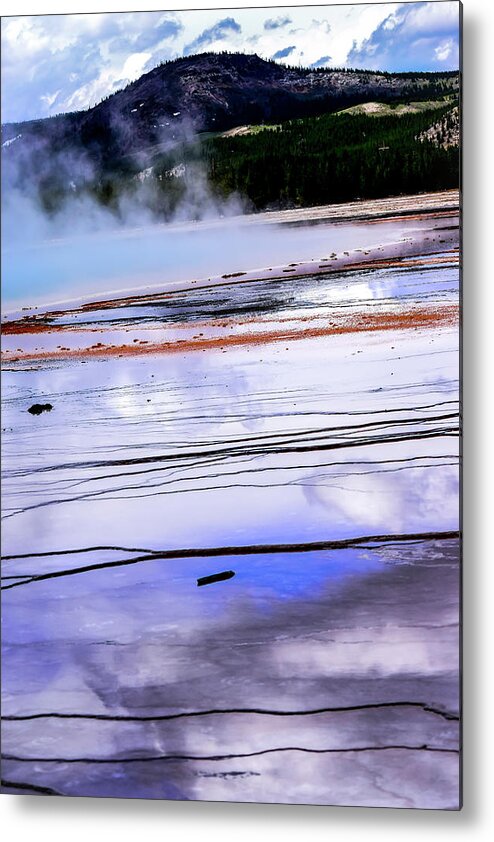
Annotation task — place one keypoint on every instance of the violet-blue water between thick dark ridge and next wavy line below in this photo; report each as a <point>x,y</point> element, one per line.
<point>149,624</point>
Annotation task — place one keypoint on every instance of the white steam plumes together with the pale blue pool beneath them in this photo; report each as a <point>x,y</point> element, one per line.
<point>77,247</point>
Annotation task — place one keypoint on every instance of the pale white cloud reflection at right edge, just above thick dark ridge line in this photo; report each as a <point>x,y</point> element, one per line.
<point>417,498</point>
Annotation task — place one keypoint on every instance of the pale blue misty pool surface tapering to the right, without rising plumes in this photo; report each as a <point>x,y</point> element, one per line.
<point>63,269</point>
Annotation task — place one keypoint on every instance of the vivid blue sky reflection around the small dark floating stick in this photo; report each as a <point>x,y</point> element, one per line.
<point>131,600</point>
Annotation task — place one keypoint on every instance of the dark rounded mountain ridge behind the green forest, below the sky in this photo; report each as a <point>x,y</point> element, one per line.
<point>202,93</point>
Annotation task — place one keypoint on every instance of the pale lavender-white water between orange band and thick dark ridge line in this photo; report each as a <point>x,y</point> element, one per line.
<point>198,403</point>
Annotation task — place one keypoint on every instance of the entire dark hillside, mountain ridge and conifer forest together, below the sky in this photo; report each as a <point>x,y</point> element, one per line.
<point>156,140</point>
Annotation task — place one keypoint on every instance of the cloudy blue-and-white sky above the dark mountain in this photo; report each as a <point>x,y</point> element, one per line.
<point>59,63</point>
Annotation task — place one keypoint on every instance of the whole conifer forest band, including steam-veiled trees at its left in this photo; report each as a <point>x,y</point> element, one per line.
<point>332,158</point>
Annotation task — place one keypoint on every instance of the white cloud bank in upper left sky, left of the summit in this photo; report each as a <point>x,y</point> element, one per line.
<point>80,57</point>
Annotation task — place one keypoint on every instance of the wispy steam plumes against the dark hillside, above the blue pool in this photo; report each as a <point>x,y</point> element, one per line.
<point>71,180</point>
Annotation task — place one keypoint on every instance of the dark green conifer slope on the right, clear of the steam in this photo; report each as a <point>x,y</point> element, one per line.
<point>334,158</point>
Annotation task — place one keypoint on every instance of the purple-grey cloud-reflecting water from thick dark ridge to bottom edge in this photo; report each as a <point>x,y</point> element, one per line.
<point>379,635</point>
